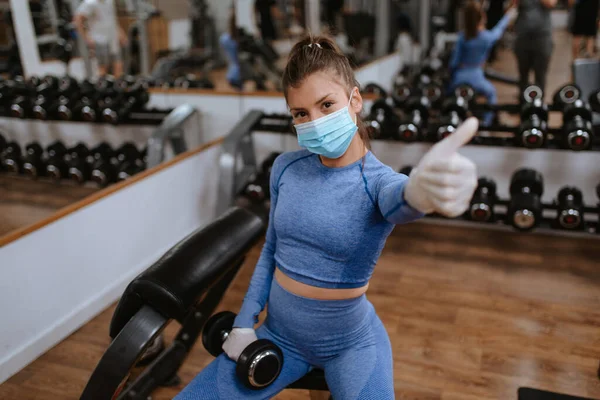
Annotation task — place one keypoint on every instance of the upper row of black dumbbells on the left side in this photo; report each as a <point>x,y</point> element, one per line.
<point>51,98</point>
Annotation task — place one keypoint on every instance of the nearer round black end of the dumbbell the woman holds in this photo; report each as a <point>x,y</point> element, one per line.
<point>259,364</point>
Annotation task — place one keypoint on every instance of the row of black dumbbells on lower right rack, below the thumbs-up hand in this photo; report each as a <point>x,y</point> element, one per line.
<point>524,209</point>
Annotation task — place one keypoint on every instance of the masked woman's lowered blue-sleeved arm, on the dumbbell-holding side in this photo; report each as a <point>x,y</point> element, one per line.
<point>260,284</point>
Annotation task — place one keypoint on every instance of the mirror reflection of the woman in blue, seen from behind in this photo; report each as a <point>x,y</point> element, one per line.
<point>472,50</point>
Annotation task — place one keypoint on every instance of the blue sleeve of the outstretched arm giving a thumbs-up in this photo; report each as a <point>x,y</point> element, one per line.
<point>390,199</point>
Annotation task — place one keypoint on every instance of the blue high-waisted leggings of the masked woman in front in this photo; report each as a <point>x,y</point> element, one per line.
<point>345,338</point>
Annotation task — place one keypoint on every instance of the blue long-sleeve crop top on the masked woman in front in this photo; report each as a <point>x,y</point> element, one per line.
<point>327,226</point>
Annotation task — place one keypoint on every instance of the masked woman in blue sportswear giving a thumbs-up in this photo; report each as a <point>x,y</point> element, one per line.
<point>333,205</point>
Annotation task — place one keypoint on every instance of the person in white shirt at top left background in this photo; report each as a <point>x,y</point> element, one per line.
<point>96,22</point>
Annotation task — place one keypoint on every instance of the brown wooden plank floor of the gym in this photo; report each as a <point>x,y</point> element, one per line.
<point>471,313</point>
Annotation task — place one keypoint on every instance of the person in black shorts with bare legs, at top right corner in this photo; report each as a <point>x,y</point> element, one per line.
<point>584,25</point>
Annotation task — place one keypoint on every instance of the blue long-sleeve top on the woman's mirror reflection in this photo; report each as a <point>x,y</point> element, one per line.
<point>474,52</point>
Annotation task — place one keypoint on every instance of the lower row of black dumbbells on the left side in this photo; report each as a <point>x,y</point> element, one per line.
<point>102,164</point>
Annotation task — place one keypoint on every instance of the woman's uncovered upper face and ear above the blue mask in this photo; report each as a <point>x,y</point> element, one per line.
<point>319,95</point>
